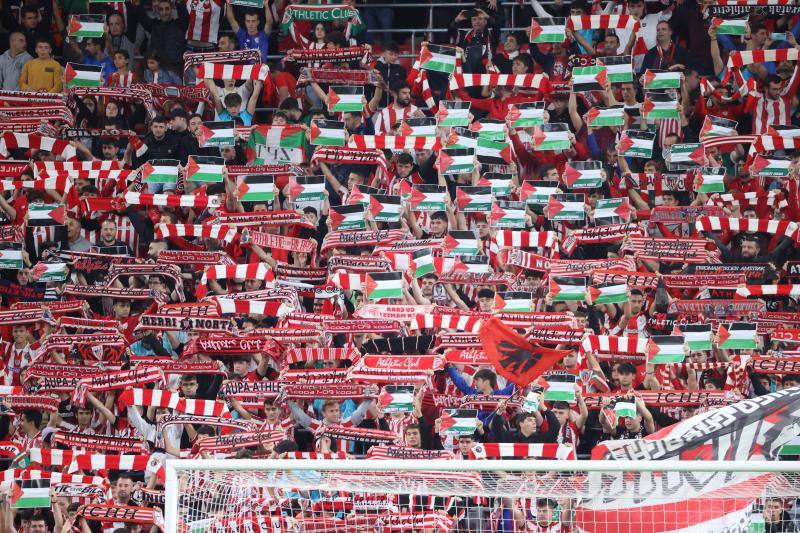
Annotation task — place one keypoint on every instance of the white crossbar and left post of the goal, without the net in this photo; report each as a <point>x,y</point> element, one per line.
<point>174,466</point>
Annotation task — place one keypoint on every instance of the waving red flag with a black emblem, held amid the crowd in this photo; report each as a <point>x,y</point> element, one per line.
<point>512,356</point>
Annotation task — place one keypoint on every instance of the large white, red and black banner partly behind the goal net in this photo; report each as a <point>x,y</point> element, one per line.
<point>748,430</point>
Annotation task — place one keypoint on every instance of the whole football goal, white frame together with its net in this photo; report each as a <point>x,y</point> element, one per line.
<point>596,496</point>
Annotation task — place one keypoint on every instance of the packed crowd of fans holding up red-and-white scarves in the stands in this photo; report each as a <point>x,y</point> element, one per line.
<point>108,293</point>
